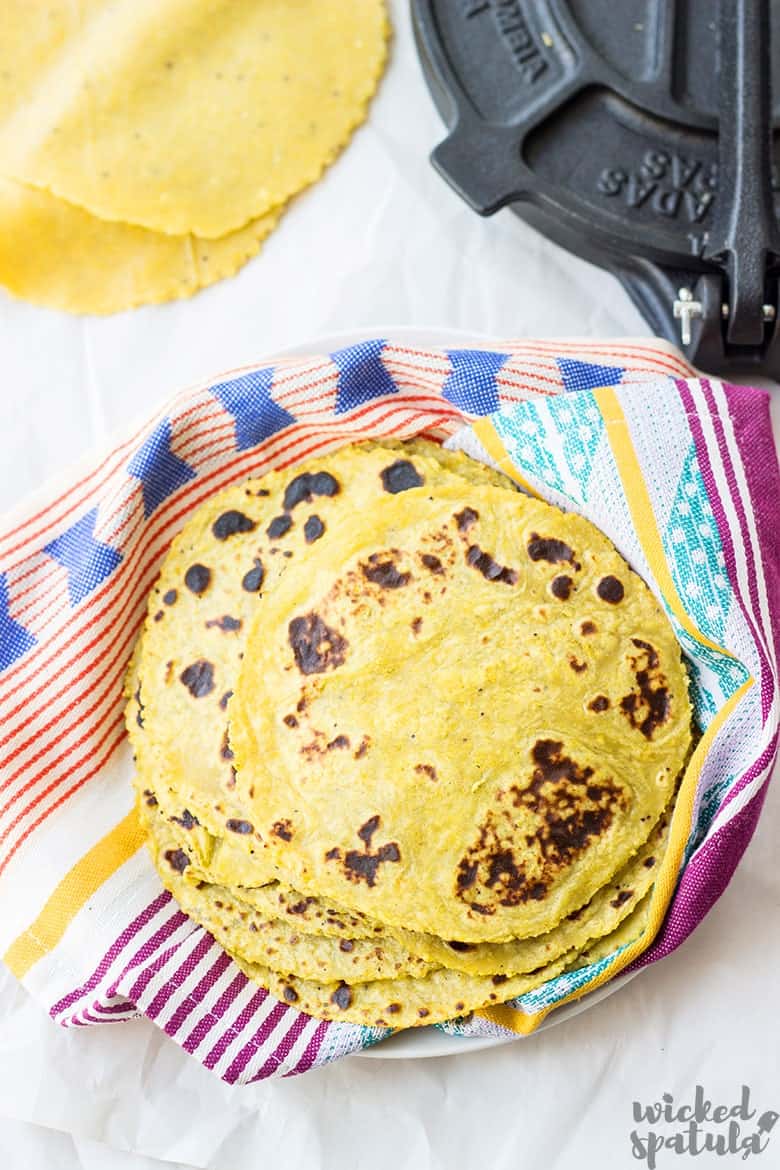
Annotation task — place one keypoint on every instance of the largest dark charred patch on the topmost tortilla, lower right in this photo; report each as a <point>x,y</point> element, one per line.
<point>571,811</point>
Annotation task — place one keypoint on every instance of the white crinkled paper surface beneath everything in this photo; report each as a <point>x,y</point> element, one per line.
<point>381,243</point>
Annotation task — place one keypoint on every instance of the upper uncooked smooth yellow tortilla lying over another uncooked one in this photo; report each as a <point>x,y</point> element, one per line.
<point>183,116</point>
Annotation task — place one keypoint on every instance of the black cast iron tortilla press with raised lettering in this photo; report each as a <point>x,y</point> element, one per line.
<point>638,134</point>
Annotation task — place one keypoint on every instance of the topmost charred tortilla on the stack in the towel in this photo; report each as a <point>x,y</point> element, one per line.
<point>498,700</point>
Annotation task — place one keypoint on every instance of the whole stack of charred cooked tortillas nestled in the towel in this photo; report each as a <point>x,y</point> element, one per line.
<point>408,741</point>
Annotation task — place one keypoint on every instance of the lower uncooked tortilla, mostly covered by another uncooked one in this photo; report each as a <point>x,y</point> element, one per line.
<point>58,256</point>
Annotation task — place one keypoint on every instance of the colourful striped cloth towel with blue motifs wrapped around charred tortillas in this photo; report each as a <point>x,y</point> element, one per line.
<point>680,472</point>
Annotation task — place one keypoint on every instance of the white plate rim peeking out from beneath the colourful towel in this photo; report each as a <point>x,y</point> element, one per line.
<point>430,1042</point>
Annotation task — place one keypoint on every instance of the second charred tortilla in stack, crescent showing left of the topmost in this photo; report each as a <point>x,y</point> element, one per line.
<point>218,574</point>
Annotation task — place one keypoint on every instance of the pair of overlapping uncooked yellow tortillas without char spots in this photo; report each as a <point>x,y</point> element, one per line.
<point>149,147</point>
